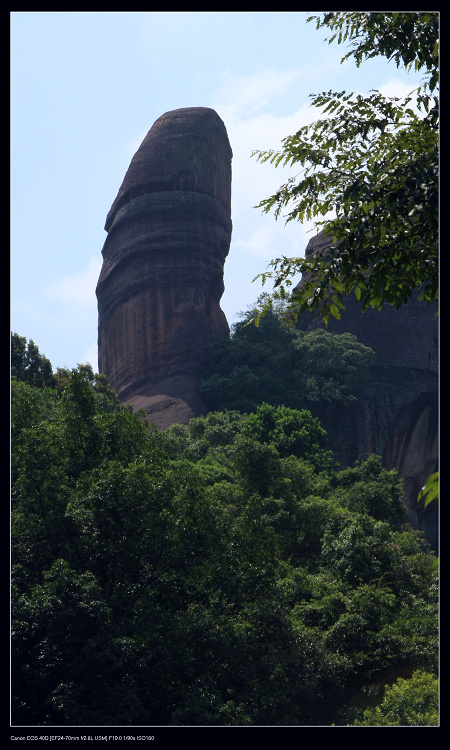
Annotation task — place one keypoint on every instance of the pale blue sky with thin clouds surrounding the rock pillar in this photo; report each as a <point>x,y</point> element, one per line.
<point>85,90</point>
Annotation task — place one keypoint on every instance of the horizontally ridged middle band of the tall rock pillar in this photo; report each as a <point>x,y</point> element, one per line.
<point>141,242</point>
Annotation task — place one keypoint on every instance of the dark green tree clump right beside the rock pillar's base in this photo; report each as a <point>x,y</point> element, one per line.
<point>280,365</point>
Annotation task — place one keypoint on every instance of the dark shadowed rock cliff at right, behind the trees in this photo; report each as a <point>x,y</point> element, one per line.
<point>397,413</point>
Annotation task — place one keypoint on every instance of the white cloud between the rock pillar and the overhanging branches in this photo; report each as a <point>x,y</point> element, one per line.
<point>248,107</point>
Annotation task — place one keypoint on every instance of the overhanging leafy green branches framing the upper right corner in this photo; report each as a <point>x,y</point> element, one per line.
<point>369,168</point>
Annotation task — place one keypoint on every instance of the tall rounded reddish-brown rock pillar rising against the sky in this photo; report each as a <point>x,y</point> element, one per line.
<point>169,232</point>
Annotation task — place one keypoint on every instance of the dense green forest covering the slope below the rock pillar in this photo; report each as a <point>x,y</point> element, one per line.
<point>226,572</point>
